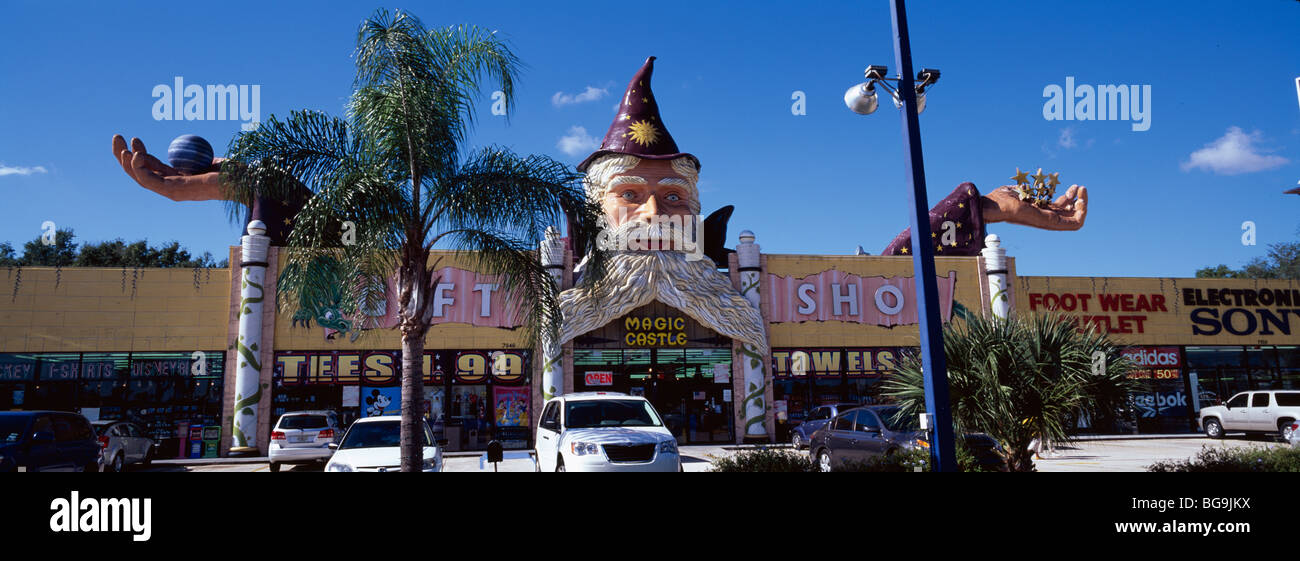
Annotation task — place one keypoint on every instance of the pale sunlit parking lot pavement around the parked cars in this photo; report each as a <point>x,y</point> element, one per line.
<point>1120,455</point>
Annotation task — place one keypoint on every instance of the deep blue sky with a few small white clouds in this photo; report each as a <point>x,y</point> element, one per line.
<point>824,182</point>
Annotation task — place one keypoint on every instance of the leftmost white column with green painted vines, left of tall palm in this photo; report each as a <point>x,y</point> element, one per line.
<point>249,346</point>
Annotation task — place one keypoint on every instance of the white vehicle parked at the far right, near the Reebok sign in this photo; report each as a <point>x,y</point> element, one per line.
<point>1269,412</point>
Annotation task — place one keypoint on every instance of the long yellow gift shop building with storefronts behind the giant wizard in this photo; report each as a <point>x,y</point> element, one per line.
<point>158,347</point>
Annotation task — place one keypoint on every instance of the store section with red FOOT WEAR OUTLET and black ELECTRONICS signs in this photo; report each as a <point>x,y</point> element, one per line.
<point>1195,342</point>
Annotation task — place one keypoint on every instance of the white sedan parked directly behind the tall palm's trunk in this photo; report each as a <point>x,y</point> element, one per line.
<point>374,445</point>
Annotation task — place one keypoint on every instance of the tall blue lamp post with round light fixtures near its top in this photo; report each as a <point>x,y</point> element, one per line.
<point>911,97</point>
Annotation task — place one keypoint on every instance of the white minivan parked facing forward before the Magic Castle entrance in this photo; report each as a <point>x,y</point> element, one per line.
<point>604,432</point>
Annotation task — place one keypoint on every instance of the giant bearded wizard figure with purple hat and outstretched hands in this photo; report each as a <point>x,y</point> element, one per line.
<point>640,175</point>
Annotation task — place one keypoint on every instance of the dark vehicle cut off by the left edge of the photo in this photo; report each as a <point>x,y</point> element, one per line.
<point>47,442</point>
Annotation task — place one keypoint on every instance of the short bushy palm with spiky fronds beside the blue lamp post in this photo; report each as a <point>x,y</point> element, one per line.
<point>1022,379</point>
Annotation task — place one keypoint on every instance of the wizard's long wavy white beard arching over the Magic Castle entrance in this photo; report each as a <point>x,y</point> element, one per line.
<point>638,279</point>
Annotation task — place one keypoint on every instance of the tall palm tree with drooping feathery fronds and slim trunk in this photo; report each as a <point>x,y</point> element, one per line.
<point>397,179</point>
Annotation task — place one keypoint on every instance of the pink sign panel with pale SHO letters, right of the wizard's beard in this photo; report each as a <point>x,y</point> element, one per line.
<point>840,297</point>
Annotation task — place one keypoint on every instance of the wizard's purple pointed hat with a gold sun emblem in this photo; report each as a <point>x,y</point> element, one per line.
<point>639,131</point>
